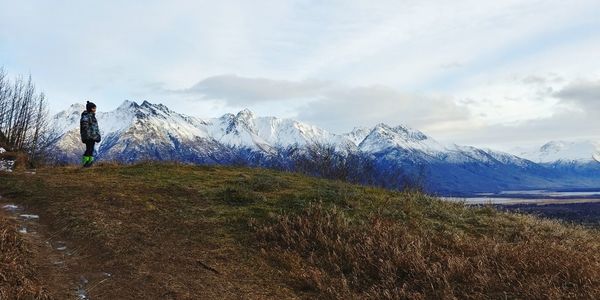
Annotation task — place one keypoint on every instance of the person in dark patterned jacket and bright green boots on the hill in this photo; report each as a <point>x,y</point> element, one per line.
<point>90,133</point>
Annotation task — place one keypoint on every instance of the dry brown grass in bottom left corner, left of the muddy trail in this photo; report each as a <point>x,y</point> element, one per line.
<point>18,278</point>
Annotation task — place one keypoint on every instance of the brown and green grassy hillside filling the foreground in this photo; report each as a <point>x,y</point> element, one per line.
<point>177,232</point>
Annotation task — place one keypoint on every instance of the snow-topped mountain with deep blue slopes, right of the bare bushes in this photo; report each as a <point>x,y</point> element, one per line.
<point>448,168</point>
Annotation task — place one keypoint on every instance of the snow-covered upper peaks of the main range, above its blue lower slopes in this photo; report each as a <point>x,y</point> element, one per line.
<point>156,126</point>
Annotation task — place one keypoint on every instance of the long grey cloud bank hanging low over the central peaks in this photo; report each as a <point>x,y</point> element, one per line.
<point>334,106</point>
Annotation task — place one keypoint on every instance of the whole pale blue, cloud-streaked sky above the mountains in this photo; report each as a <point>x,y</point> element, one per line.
<point>498,74</point>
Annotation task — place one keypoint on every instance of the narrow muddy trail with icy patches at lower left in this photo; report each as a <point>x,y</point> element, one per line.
<point>61,264</point>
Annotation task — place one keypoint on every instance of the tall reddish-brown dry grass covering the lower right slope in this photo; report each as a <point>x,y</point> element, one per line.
<point>327,252</point>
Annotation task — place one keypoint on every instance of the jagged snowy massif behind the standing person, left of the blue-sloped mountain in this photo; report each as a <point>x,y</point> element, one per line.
<point>152,131</point>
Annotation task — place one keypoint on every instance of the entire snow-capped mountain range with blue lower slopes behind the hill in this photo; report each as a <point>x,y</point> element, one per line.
<point>146,131</point>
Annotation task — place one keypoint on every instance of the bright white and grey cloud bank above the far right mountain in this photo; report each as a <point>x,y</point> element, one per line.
<point>530,110</point>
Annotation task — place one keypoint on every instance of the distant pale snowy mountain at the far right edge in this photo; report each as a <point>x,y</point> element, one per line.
<point>581,151</point>
